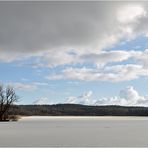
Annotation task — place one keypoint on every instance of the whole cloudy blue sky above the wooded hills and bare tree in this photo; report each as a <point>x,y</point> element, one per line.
<point>92,53</point>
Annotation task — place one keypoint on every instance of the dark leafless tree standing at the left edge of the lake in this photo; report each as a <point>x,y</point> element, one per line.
<point>7,98</point>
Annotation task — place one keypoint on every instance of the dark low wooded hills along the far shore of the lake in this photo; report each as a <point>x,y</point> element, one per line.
<point>77,110</point>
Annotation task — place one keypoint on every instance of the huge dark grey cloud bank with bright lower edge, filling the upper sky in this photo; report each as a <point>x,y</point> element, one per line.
<point>34,29</point>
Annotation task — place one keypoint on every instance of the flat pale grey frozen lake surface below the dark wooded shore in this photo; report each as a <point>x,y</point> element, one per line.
<point>75,132</point>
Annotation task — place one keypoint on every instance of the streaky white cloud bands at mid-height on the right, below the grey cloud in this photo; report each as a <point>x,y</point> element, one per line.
<point>102,71</point>
